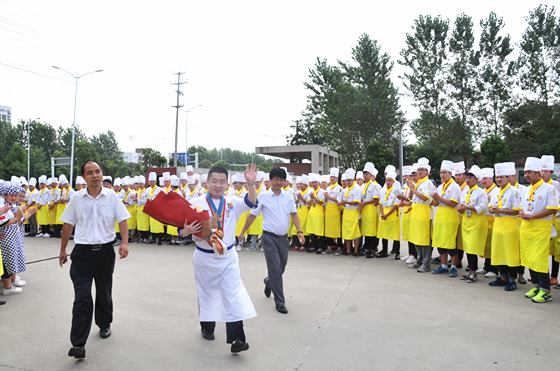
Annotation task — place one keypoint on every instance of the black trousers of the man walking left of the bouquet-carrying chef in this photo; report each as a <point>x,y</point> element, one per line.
<point>91,264</point>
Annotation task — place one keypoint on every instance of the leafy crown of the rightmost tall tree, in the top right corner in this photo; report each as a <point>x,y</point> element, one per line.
<point>539,57</point>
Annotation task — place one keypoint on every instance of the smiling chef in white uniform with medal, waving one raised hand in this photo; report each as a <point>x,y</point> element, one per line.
<point>221,294</point>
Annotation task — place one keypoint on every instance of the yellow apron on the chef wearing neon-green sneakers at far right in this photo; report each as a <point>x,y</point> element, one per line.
<point>534,243</point>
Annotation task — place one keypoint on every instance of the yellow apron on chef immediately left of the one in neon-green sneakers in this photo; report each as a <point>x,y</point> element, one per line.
<point>505,242</point>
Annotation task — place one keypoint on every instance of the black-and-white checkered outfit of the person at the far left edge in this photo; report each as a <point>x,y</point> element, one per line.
<point>11,246</point>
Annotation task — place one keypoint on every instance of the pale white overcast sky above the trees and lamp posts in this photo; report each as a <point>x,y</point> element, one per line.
<point>245,62</point>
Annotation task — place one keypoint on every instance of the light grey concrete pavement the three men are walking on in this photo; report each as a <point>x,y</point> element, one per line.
<point>344,314</point>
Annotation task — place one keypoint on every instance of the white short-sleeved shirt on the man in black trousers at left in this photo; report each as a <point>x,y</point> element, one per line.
<point>94,218</point>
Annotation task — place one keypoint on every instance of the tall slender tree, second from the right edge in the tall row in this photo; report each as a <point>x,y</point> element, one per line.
<point>496,75</point>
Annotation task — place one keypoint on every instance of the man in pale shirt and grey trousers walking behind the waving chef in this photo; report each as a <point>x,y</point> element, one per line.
<point>276,206</point>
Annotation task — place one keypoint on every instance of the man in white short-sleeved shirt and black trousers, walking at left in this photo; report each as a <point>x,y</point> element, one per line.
<point>93,212</point>
